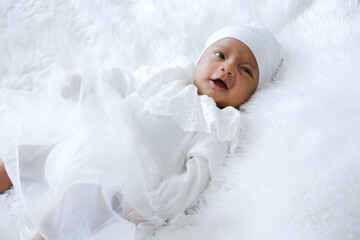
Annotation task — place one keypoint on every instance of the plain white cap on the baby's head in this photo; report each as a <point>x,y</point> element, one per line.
<point>261,42</point>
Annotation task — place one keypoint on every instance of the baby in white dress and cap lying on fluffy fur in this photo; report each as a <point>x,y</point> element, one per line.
<point>142,156</point>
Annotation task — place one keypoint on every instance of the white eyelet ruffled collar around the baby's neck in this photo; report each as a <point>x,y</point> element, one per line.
<point>170,92</point>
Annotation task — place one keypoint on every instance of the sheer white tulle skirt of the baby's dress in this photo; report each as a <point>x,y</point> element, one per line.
<point>73,162</point>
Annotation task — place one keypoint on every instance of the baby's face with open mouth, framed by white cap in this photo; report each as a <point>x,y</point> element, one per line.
<point>227,72</point>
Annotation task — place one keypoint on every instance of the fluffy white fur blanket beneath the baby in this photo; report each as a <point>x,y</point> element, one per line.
<point>296,175</point>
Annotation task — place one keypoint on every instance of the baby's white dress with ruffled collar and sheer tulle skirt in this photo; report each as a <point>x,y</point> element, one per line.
<point>80,163</point>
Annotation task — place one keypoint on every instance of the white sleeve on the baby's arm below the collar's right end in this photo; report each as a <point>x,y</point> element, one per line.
<point>179,192</point>
